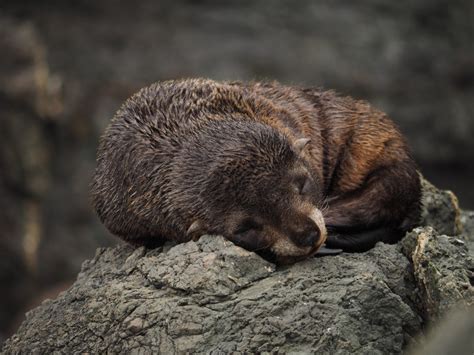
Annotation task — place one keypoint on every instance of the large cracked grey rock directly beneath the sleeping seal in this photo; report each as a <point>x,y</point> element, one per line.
<point>210,295</point>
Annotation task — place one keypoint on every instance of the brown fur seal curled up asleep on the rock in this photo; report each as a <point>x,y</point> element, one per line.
<point>273,168</point>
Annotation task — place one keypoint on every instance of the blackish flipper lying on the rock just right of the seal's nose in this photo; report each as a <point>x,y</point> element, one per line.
<point>363,241</point>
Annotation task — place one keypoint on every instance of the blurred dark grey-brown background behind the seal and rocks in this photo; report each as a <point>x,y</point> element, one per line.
<point>66,66</point>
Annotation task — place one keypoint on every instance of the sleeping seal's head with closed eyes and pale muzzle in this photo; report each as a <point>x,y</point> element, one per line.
<point>260,194</point>
